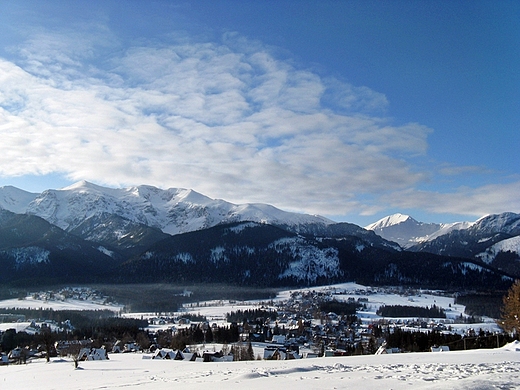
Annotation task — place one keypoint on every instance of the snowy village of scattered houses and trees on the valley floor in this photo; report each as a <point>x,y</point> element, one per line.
<point>305,323</point>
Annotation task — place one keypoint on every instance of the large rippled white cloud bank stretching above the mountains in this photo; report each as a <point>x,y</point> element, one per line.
<point>233,123</point>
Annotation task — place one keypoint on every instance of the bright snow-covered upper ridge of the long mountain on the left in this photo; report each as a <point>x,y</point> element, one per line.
<point>175,210</point>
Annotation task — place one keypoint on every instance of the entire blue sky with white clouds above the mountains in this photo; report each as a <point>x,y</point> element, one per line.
<point>353,110</point>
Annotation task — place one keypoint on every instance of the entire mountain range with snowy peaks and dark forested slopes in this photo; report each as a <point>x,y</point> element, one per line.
<point>92,233</point>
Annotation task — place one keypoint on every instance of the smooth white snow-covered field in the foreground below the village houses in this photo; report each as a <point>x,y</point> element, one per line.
<point>476,369</point>
